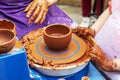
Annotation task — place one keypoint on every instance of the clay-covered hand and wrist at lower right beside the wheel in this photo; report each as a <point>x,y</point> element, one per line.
<point>102,61</point>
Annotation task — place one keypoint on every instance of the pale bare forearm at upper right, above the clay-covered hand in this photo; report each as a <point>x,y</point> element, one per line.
<point>101,20</point>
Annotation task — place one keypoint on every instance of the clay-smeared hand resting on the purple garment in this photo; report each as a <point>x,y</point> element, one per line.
<point>37,11</point>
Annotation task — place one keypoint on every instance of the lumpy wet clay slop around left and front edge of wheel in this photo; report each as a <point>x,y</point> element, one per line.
<point>28,40</point>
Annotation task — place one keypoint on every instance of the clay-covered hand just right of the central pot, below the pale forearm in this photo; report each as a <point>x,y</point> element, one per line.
<point>83,31</point>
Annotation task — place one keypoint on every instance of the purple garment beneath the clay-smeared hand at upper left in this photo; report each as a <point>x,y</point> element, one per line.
<point>13,10</point>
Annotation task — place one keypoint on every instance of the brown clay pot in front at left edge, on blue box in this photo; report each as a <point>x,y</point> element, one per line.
<point>7,40</point>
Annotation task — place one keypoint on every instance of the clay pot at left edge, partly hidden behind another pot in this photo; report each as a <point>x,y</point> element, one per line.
<point>7,24</point>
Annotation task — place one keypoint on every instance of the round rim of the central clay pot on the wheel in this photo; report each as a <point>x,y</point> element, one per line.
<point>45,28</point>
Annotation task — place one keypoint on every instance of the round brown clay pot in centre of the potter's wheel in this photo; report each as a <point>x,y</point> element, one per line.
<point>57,36</point>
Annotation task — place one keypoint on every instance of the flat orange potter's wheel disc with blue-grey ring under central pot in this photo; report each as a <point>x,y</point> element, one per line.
<point>75,50</point>
